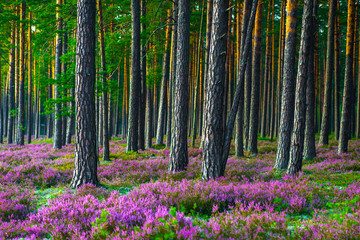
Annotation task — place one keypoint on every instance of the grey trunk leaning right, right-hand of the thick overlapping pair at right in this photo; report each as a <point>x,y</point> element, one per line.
<point>297,138</point>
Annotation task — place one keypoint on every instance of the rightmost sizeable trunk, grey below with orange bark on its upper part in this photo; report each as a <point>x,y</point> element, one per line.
<point>346,110</point>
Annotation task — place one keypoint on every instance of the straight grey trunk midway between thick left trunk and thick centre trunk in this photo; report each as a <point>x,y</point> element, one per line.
<point>132,139</point>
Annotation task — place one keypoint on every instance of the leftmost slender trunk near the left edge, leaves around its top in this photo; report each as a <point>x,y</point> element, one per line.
<point>11,114</point>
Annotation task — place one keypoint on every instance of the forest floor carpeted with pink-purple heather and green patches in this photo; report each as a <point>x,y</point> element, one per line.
<point>141,200</point>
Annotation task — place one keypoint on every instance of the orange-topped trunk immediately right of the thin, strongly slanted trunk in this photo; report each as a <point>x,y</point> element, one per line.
<point>255,91</point>
